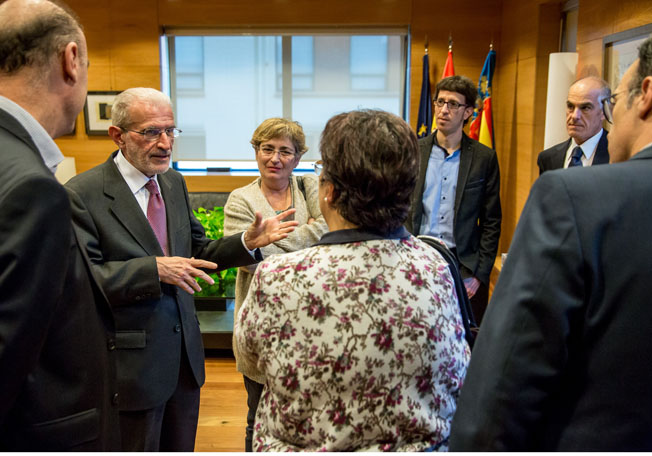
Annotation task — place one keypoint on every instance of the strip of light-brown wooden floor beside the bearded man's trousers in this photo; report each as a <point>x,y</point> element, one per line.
<point>223,407</point>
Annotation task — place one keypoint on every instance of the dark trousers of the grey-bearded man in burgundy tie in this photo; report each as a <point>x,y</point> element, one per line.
<point>172,426</point>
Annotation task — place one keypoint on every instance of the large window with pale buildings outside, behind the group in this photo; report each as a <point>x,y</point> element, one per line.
<point>223,86</point>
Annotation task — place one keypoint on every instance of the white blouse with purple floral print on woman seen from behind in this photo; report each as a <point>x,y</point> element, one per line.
<point>361,343</point>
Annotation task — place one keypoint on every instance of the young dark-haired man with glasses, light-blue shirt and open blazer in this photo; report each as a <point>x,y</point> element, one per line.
<point>457,196</point>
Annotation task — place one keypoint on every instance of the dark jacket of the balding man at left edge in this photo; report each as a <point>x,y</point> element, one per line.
<point>57,372</point>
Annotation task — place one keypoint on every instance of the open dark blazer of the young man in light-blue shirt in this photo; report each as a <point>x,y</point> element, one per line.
<point>477,205</point>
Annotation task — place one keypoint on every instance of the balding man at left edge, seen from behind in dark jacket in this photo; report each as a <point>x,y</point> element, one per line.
<point>58,388</point>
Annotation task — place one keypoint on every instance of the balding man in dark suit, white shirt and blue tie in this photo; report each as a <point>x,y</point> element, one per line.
<point>588,143</point>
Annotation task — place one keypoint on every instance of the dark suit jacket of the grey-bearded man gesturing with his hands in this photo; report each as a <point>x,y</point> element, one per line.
<point>154,321</point>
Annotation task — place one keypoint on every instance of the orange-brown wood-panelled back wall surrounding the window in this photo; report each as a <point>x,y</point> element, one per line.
<point>123,40</point>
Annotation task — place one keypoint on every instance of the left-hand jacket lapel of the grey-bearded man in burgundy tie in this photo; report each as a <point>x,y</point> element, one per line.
<point>126,209</point>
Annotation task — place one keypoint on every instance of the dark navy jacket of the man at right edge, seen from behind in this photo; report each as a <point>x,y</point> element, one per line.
<point>562,361</point>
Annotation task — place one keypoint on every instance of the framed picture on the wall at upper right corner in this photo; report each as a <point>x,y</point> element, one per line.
<point>620,50</point>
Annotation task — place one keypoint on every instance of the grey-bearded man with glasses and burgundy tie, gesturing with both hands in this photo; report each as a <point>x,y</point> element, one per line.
<point>134,219</point>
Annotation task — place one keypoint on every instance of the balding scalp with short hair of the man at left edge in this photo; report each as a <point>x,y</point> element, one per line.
<point>33,32</point>
